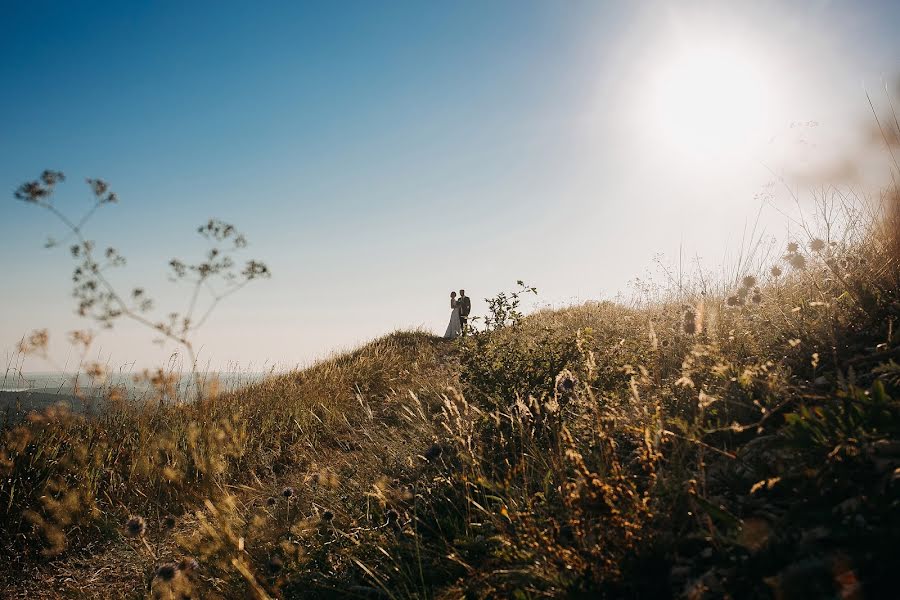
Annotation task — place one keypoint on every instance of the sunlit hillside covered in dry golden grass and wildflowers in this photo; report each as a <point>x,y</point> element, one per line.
<point>741,442</point>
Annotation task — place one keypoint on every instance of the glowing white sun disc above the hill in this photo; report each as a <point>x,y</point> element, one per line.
<point>709,100</point>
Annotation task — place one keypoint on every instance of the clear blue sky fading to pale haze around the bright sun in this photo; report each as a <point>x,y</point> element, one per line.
<point>379,155</point>
